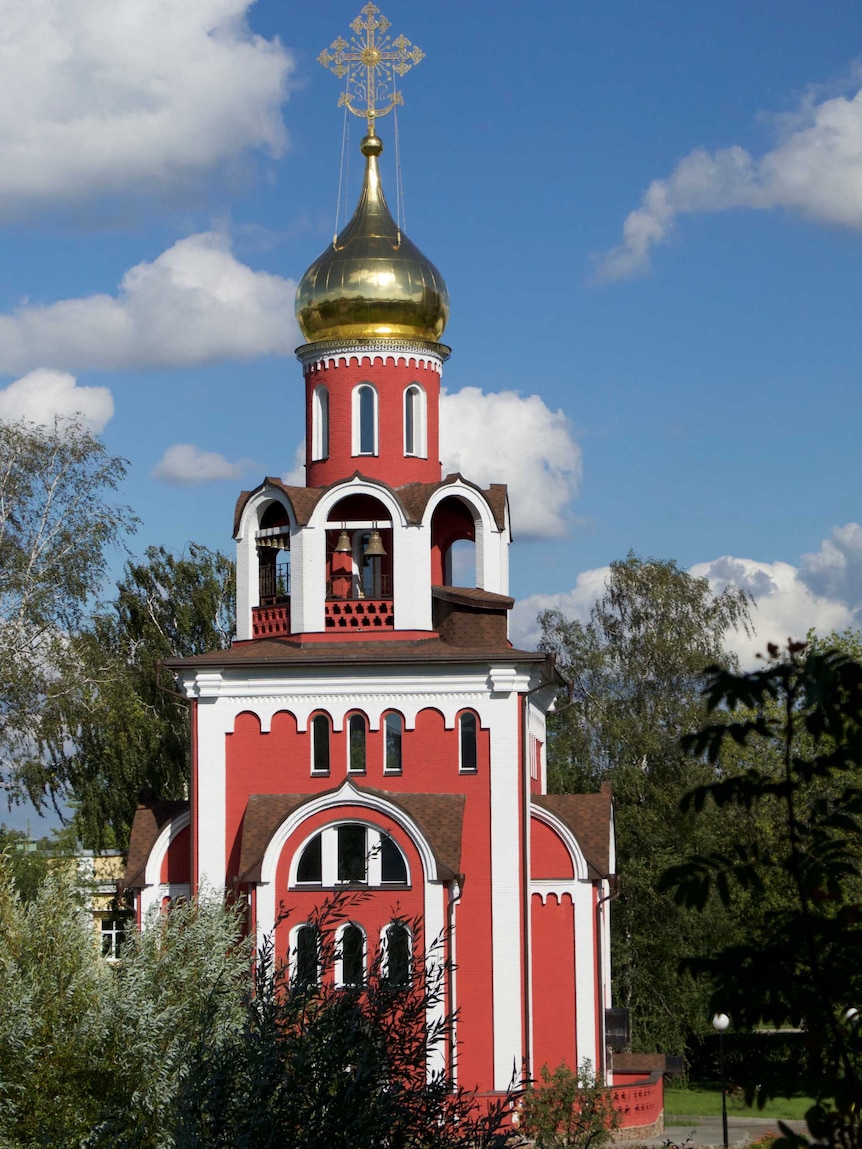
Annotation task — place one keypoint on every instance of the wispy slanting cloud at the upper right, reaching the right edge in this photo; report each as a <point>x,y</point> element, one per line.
<point>815,169</point>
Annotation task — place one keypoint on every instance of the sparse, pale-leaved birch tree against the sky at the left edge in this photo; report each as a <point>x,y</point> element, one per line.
<point>59,521</point>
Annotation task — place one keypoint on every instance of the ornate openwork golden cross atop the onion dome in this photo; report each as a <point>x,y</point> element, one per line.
<point>371,66</point>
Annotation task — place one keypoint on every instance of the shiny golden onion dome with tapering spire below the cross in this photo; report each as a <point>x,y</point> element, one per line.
<point>372,282</point>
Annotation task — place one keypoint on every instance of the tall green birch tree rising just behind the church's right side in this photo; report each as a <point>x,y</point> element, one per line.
<point>636,669</point>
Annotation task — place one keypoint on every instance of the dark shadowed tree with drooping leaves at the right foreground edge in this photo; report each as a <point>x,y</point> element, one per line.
<point>799,963</point>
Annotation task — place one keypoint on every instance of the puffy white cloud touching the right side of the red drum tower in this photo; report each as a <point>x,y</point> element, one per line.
<point>505,437</point>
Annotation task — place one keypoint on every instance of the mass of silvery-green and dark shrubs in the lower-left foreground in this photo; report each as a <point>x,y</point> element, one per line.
<point>182,1045</point>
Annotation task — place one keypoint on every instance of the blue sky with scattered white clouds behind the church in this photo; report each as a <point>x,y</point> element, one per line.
<point>650,219</point>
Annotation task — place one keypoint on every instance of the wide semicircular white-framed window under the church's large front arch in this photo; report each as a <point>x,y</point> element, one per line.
<point>351,853</point>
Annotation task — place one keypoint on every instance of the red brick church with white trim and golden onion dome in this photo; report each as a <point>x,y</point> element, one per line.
<point>373,724</point>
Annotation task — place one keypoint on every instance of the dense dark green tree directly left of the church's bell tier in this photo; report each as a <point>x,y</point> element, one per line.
<point>118,731</point>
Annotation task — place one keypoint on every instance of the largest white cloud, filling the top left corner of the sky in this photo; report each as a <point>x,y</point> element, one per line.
<point>99,97</point>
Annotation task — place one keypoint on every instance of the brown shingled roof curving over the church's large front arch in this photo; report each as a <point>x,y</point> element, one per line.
<point>438,816</point>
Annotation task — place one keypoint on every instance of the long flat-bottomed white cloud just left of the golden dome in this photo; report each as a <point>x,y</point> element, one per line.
<point>195,304</point>
